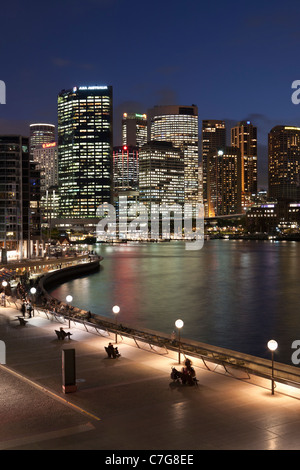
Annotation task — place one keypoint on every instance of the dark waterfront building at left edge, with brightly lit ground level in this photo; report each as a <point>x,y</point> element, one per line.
<point>19,202</point>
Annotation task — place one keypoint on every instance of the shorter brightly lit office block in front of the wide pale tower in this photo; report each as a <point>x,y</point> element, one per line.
<point>161,174</point>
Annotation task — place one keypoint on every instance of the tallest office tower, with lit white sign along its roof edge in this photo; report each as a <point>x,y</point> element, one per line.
<point>84,150</point>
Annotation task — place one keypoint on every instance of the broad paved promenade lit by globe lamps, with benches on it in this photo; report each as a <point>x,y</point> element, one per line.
<point>130,403</point>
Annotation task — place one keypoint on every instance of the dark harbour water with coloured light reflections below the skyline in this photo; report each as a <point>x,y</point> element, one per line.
<point>234,294</point>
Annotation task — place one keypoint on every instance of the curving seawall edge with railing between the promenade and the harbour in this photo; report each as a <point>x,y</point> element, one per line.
<point>211,356</point>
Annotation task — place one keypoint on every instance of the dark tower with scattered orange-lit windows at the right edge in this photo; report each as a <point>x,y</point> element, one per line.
<point>284,162</point>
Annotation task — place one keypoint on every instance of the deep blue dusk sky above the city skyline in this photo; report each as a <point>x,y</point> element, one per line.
<point>235,60</point>
